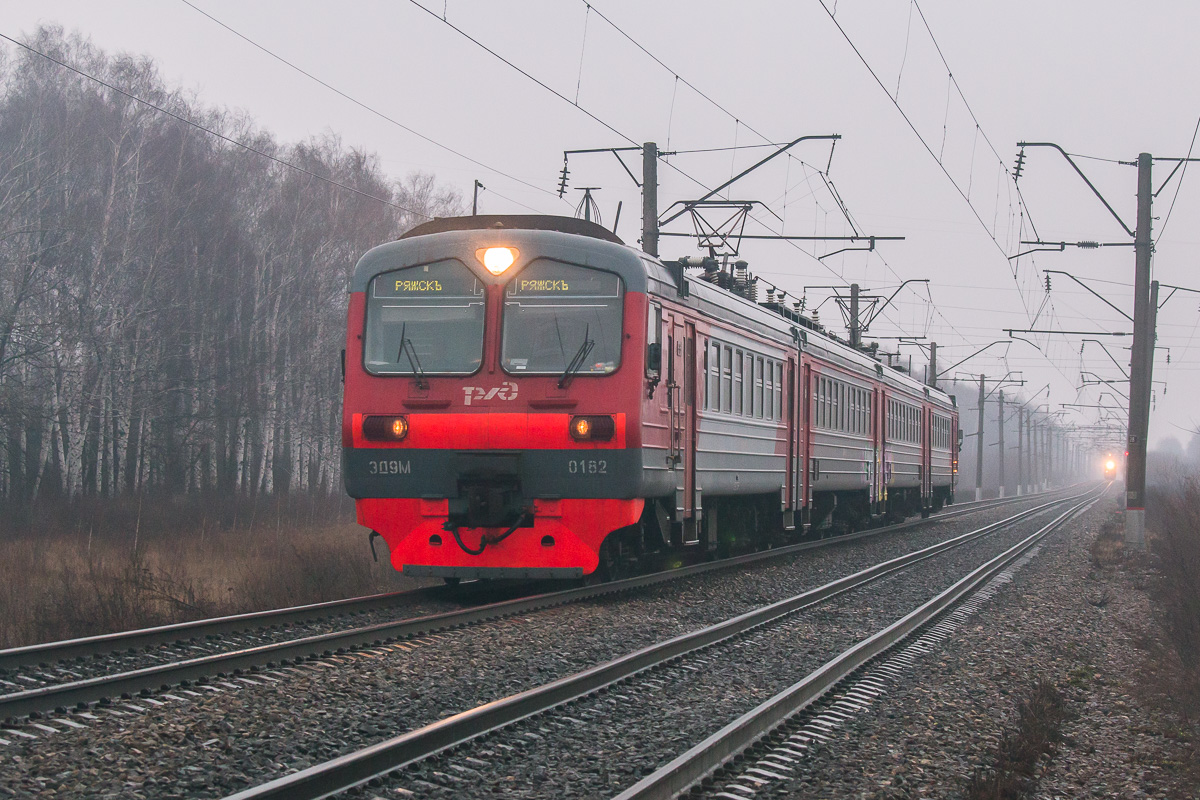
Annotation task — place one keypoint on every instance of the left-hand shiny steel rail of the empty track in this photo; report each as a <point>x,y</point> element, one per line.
<point>355,769</point>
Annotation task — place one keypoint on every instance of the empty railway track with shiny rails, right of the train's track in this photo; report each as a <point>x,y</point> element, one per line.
<point>453,735</point>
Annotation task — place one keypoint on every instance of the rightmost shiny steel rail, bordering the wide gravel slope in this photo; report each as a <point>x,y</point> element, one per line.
<point>718,750</point>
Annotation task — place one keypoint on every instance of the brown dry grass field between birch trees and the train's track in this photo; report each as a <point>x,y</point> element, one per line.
<point>103,568</point>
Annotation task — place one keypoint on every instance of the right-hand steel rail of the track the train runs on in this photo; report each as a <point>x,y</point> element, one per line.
<point>165,676</point>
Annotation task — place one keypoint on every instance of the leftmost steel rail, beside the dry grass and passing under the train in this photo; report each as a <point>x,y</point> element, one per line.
<point>87,647</point>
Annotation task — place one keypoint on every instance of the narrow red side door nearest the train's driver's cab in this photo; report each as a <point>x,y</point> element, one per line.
<point>682,412</point>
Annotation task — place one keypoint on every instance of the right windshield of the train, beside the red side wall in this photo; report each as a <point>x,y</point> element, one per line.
<point>561,318</point>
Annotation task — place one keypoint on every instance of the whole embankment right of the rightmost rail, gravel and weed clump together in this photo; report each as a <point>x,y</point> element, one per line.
<point>1066,685</point>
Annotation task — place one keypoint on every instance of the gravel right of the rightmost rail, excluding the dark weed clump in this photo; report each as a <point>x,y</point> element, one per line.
<point>1060,621</point>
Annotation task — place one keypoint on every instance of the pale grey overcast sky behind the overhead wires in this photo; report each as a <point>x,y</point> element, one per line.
<point>1103,80</point>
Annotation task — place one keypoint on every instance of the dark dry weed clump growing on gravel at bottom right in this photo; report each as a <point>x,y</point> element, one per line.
<point>1037,733</point>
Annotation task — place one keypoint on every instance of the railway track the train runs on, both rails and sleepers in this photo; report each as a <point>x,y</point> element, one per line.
<point>97,670</point>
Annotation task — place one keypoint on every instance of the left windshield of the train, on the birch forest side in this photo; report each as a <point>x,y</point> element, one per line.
<point>425,321</point>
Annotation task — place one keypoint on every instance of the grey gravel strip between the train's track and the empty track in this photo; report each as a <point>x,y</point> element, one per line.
<point>250,732</point>
